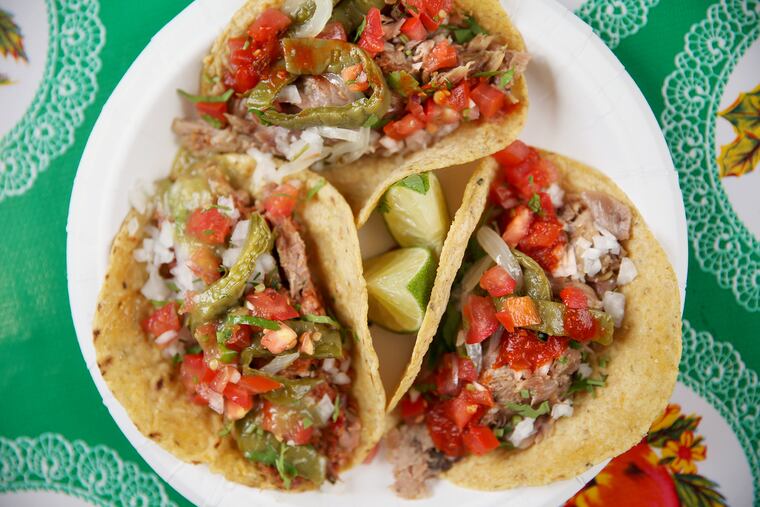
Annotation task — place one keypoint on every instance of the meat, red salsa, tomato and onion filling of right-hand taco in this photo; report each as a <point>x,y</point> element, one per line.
<point>524,334</point>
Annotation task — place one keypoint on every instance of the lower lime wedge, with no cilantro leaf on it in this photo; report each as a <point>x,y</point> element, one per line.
<point>399,284</point>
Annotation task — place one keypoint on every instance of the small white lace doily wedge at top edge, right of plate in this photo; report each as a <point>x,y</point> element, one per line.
<point>614,20</point>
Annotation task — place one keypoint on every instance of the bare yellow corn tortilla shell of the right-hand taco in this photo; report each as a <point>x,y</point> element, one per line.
<point>642,360</point>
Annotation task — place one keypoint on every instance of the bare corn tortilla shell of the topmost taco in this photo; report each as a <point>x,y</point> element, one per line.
<point>363,183</point>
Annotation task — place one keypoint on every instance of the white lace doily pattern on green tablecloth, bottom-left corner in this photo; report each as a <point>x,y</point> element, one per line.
<point>97,474</point>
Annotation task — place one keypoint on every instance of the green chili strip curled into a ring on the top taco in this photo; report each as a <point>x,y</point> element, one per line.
<point>318,57</point>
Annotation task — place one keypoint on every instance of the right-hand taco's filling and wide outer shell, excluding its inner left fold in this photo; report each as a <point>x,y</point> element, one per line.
<point>560,343</point>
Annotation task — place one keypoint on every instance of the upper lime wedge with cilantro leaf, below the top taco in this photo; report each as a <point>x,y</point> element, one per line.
<point>415,212</point>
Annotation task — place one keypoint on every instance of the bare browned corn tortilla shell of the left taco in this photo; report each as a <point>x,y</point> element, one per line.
<point>148,385</point>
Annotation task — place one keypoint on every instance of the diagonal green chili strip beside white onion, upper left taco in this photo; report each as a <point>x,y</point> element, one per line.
<point>225,292</point>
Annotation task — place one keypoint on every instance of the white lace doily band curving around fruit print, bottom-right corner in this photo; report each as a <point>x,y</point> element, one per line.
<point>715,371</point>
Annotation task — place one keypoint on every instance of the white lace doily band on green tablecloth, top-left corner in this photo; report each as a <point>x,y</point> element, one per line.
<point>68,87</point>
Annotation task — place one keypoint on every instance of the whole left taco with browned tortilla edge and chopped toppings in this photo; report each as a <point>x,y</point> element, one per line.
<point>232,327</point>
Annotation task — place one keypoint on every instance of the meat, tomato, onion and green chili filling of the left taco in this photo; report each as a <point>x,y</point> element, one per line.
<point>236,309</point>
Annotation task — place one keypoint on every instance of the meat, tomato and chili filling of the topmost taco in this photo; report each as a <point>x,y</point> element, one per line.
<point>365,76</point>
